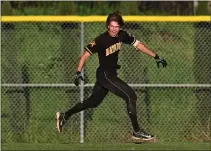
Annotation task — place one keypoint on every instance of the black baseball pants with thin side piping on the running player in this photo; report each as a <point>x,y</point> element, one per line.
<point>107,80</point>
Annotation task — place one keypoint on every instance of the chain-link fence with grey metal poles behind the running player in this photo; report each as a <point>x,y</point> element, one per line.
<point>39,61</point>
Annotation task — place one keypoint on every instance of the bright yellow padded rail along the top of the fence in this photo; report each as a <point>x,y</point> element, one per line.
<point>103,18</point>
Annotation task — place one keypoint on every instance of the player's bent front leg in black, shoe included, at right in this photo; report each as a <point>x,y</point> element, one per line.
<point>123,90</point>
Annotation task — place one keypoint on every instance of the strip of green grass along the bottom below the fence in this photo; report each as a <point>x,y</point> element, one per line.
<point>123,146</point>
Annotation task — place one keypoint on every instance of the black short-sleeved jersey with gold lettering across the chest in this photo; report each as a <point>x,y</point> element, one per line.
<point>108,47</point>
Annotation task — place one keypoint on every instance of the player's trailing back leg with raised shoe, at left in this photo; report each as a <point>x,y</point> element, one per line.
<point>93,101</point>
